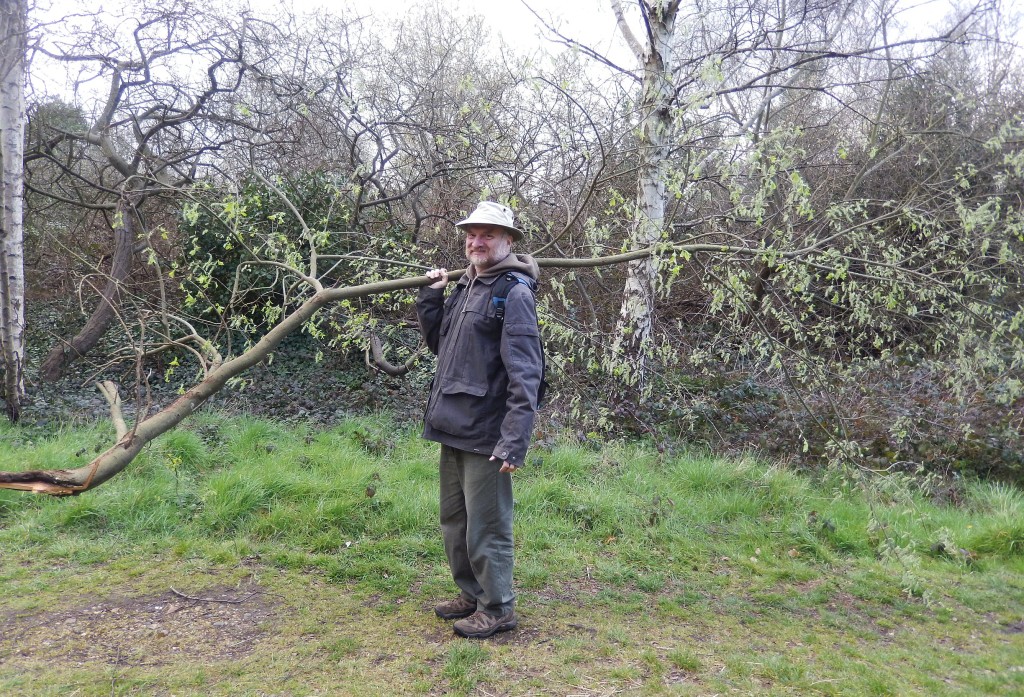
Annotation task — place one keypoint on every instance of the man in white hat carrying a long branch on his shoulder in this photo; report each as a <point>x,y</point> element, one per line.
<point>482,408</point>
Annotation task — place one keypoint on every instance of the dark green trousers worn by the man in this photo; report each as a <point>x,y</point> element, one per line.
<point>477,526</point>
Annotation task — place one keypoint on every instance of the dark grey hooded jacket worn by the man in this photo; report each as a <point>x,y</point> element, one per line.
<point>484,397</point>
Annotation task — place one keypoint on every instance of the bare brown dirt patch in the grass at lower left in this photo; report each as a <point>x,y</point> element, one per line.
<point>217,624</point>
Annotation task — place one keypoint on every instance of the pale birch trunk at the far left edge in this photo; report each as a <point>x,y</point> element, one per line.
<point>14,22</point>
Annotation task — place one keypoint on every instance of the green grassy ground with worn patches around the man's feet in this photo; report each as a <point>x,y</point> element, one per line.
<point>317,558</point>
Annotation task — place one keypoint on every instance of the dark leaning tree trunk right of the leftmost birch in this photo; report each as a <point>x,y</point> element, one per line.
<point>124,240</point>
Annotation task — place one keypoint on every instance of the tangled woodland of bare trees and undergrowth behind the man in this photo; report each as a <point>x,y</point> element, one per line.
<point>790,228</point>
